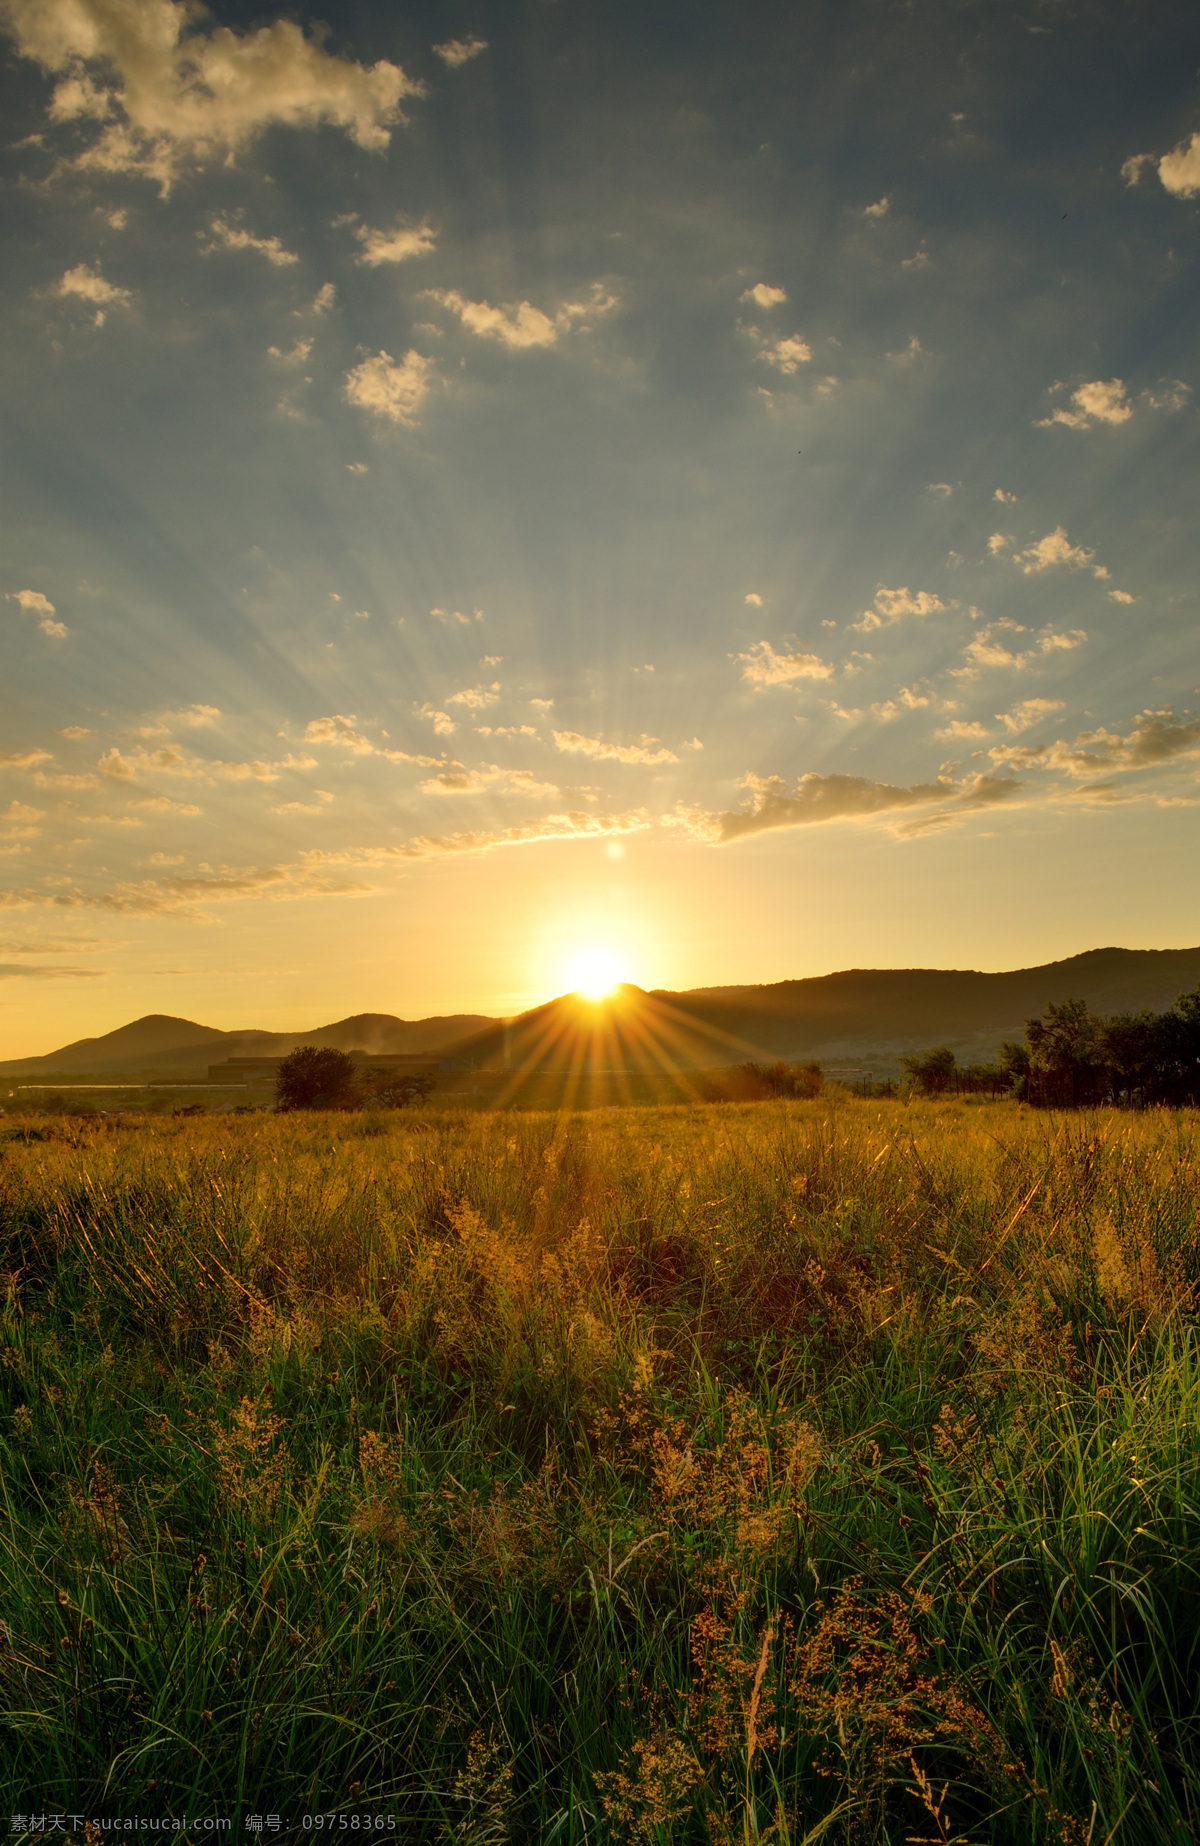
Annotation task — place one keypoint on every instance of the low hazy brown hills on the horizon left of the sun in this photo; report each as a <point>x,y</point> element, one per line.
<point>180,1048</point>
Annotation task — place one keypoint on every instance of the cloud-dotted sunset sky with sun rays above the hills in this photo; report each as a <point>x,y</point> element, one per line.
<point>486,485</point>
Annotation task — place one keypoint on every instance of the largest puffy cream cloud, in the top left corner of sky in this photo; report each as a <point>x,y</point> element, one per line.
<point>167,90</point>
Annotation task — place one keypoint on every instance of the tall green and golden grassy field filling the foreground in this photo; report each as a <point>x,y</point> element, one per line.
<point>778,1472</point>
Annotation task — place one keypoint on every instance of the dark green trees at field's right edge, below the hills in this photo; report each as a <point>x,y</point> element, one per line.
<point>1072,1057</point>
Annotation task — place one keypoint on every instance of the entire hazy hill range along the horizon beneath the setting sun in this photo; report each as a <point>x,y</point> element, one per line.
<point>850,1014</point>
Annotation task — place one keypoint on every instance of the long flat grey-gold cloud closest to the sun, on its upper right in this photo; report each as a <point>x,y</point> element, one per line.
<point>826,798</point>
